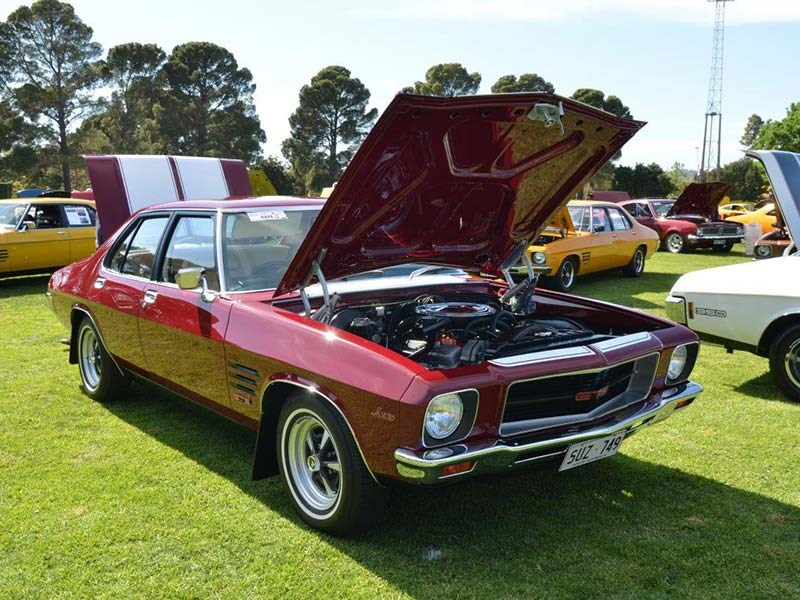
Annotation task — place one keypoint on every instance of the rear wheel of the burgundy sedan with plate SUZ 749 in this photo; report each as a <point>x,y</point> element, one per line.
<point>100,377</point>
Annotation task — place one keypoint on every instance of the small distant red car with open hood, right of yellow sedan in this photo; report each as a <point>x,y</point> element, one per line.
<point>691,221</point>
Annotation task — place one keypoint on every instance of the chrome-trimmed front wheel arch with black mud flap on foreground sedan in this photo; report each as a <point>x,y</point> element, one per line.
<point>275,395</point>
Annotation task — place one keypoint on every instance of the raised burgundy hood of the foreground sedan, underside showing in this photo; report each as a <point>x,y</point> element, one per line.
<point>456,181</point>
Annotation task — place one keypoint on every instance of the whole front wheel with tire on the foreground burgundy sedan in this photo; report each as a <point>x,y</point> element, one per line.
<point>329,484</point>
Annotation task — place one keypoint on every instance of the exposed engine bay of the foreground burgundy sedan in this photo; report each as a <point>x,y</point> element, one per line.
<point>451,330</point>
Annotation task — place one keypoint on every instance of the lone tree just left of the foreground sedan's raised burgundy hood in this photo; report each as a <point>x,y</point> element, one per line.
<point>331,118</point>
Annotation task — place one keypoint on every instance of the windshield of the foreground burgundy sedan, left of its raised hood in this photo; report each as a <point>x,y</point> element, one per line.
<point>259,244</point>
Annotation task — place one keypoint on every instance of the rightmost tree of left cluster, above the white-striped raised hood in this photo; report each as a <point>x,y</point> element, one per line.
<point>208,106</point>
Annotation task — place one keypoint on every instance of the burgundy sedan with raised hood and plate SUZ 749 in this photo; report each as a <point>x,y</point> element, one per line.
<point>297,318</point>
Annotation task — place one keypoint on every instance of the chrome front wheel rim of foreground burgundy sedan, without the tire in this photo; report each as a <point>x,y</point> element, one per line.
<point>312,460</point>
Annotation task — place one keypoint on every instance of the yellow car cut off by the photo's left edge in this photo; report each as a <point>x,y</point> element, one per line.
<point>37,234</point>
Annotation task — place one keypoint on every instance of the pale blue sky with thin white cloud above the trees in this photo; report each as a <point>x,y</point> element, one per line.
<point>654,54</point>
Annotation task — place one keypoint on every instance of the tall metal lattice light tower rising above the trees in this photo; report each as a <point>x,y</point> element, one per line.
<point>712,133</point>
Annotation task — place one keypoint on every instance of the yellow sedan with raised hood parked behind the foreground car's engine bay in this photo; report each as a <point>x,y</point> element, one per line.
<point>589,236</point>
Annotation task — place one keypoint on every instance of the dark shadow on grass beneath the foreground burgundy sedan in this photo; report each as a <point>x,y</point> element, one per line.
<point>617,528</point>
